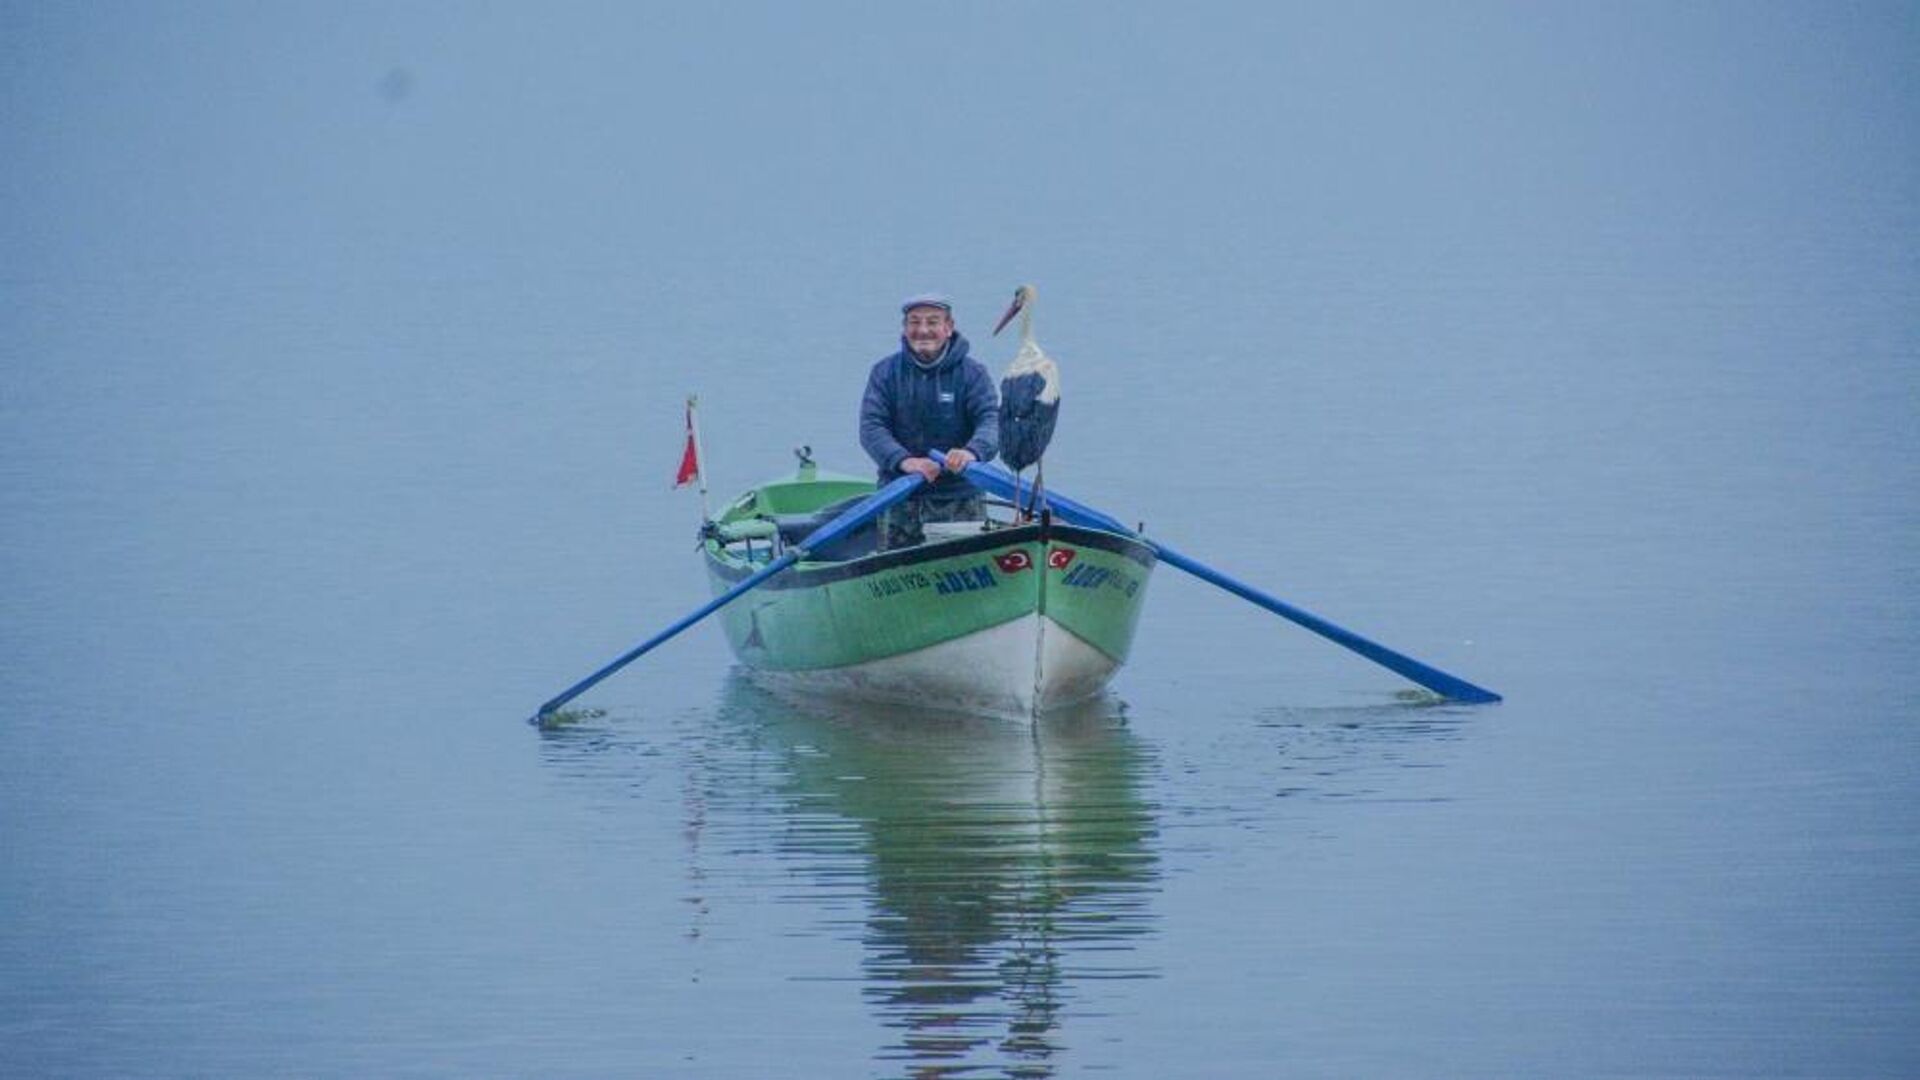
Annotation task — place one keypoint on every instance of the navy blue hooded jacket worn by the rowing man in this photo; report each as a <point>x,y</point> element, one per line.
<point>913,408</point>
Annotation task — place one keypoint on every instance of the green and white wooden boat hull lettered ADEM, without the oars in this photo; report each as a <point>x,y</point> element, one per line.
<point>996,618</point>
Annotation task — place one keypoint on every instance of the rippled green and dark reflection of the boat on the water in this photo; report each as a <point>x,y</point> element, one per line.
<point>1007,866</point>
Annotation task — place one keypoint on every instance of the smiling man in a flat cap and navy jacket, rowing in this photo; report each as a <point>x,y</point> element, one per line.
<point>928,397</point>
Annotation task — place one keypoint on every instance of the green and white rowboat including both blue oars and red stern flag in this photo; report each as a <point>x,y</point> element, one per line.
<point>1003,618</point>
